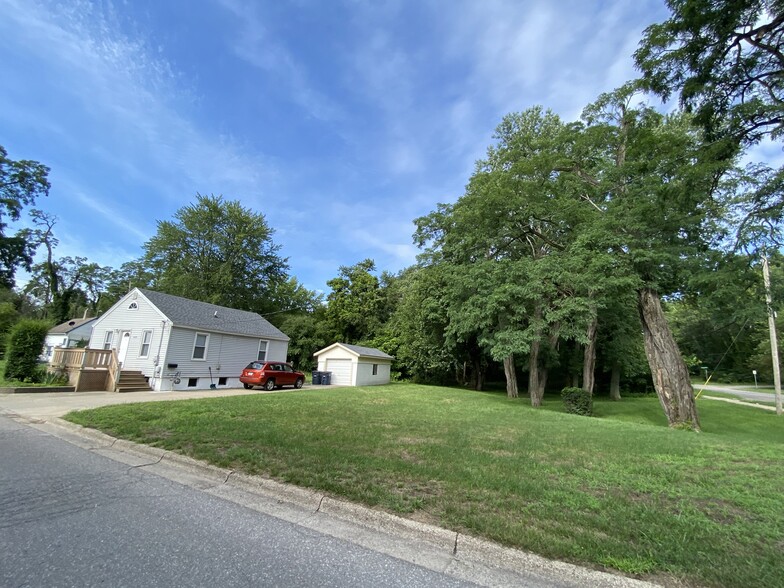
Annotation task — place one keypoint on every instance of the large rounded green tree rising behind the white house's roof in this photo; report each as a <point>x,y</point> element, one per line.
<point>217,251</point>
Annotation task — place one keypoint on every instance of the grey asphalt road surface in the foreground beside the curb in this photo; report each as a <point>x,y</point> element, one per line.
<point>69,517</point>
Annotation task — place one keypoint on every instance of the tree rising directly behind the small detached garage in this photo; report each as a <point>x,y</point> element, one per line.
<point>355,302</point>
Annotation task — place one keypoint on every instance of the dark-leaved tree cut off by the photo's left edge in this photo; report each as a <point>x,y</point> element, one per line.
<point>21,182</point>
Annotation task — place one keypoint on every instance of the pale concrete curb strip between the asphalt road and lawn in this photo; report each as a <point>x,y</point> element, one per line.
<point>451,552</point>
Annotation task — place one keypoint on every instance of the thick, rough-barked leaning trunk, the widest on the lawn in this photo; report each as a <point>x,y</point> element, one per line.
<point>670,376</point>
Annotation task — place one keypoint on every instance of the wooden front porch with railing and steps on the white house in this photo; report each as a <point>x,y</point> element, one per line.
<point>92,370</point>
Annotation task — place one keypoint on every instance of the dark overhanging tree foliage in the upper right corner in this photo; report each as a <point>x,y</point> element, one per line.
<point>725,59</point>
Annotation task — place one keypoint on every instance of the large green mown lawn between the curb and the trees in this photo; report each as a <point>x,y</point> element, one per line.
<point>620,491</point>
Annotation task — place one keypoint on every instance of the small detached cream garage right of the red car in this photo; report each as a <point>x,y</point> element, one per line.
<point>352,365</point>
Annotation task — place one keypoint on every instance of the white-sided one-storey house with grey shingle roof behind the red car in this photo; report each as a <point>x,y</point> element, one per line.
<point>181,344</point>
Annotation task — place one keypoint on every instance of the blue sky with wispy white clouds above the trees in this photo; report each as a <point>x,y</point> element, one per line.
<point>340,120</point>
